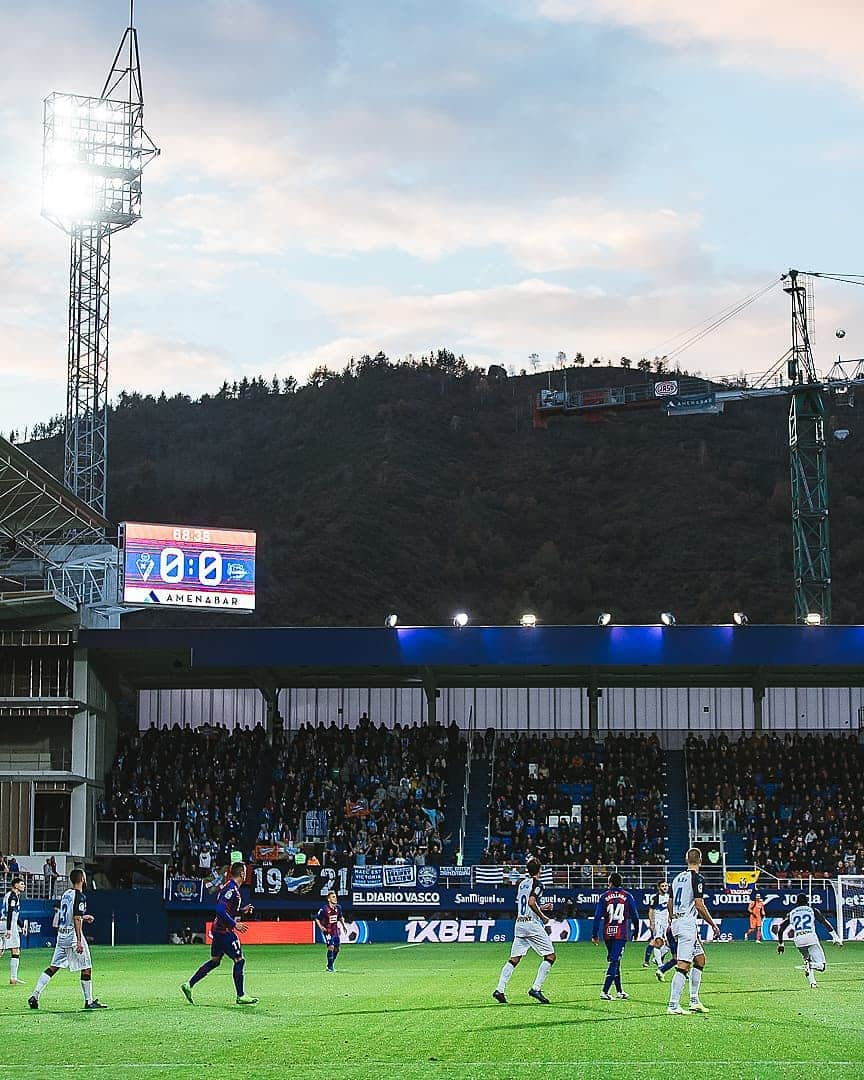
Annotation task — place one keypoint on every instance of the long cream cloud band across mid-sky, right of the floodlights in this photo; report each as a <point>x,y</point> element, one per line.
<point>557,235</point>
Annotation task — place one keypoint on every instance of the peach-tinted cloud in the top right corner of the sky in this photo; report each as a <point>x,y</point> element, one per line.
<point>829,40</point>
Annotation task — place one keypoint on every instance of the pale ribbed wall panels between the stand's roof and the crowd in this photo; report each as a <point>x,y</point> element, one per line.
<point>653,709</point>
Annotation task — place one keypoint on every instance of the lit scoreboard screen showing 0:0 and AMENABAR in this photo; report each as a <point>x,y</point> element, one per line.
<point>188,566</point>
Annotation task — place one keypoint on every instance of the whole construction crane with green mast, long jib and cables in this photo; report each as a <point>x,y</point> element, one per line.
<point>793,376</point>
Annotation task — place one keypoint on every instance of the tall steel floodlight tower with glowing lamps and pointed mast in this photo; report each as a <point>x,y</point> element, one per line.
<point>94,153</point>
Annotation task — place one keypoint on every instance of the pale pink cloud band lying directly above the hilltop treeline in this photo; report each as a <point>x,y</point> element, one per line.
<point>508,323</point>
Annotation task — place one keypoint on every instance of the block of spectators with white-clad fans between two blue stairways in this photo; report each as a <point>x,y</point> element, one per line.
<point>616,785</point>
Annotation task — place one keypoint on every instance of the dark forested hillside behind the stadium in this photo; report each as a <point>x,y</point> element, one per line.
<point>424,489</point>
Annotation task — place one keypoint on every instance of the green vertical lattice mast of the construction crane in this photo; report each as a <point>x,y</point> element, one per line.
<point>808,465</point>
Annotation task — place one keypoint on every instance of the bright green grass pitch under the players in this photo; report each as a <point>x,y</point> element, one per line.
<point>426,1012</point>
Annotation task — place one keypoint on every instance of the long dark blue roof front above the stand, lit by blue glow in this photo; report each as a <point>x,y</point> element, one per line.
<point>480,656</point>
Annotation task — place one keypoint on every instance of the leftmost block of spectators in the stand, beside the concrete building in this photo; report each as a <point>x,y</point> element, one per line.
<point>202,778</point>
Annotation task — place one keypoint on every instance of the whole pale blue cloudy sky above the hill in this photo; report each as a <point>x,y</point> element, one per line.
<point>501,178</point>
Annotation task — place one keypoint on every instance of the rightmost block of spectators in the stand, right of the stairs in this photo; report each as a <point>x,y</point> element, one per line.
<point>798,800</point>
